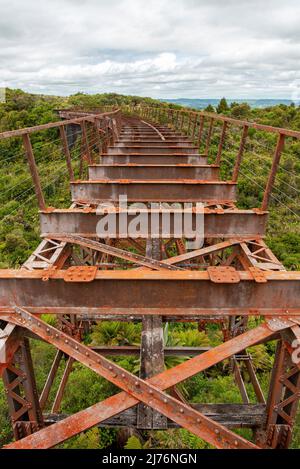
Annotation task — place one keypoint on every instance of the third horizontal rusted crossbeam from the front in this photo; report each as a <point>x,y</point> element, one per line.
<point>153,190</point>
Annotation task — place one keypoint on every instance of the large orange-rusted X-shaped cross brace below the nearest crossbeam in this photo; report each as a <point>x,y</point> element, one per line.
<point>140,390</point>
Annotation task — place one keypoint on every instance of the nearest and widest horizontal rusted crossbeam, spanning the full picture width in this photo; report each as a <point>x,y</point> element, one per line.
<point>150,292</point>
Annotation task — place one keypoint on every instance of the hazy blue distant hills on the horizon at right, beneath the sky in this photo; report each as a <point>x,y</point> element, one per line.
<point>203,103</point>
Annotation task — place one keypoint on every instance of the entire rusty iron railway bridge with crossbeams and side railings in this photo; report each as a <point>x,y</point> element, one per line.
<point>151,155</point>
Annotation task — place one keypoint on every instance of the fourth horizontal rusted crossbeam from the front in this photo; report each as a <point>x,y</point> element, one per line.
<point>145,172</point>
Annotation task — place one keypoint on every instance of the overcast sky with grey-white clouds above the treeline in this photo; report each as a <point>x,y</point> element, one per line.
<point>158,48</point>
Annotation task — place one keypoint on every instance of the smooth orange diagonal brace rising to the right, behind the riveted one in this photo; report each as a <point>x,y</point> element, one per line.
<point>104,410</point>
